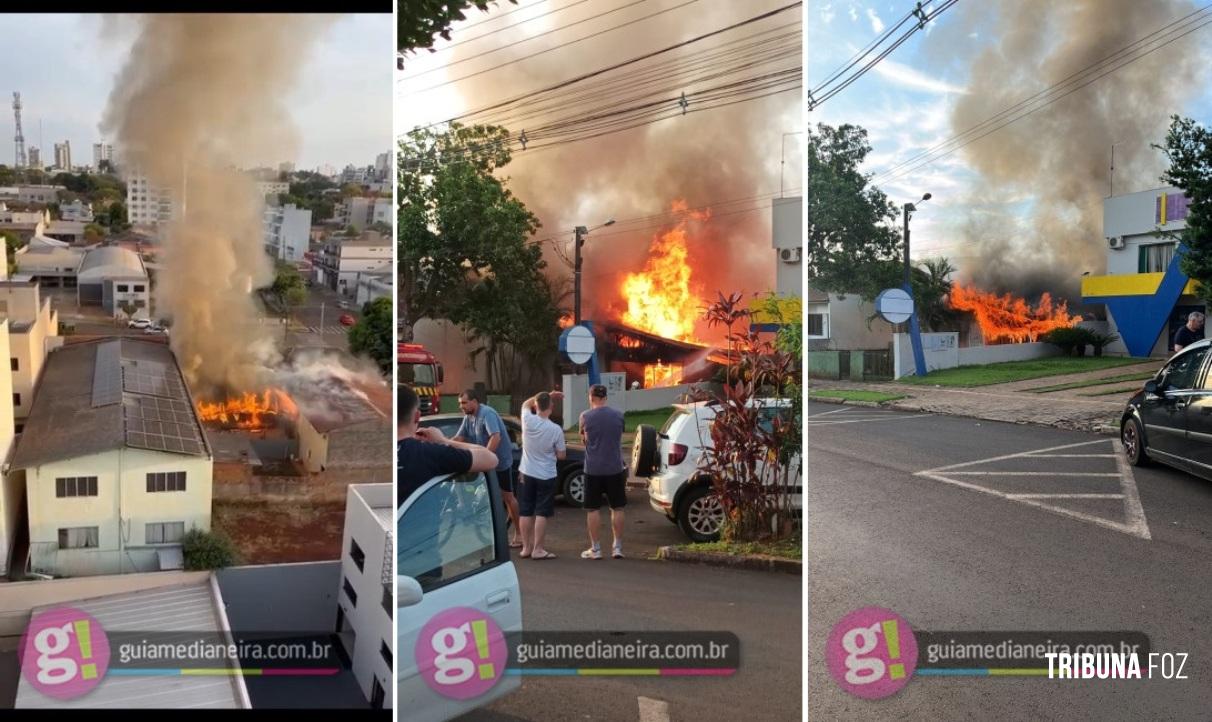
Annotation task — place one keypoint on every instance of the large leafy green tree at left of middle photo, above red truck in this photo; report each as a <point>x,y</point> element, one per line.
<point>464,250</point>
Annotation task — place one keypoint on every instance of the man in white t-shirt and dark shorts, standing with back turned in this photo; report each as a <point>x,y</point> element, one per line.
<point>542,448</point>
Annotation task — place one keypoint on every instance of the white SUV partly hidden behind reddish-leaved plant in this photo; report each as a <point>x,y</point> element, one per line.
<point>670,460</point>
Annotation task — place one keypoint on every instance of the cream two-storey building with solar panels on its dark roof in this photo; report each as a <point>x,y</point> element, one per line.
<point>117,466</point>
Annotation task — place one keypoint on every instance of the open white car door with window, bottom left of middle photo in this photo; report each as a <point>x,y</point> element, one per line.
<point>454,552</point>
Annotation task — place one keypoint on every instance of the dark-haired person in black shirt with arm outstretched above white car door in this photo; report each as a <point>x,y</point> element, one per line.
<point>422,454</point>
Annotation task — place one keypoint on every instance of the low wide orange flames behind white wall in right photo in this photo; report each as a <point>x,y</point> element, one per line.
<point>1011,319</point>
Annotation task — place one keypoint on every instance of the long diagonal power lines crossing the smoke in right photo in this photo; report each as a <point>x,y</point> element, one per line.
<point>1019,111</point>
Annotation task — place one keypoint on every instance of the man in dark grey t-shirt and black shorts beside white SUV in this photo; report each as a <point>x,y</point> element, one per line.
<point>602,431</point>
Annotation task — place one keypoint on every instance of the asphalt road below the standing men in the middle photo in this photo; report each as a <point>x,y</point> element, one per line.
<point>641,594</point>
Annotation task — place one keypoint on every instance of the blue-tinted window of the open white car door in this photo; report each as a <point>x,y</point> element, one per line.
<point>448,532</point>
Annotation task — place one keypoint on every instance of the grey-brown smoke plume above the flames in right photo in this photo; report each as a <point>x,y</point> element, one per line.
<point>1060,157</point>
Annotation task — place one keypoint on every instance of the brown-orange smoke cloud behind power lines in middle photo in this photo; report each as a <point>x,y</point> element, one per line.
<point>730,153</point>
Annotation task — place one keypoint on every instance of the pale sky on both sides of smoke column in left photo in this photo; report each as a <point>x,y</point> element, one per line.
<point>64,70</point>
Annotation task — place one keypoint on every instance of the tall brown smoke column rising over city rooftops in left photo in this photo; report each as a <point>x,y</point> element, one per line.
<point>201,95</point>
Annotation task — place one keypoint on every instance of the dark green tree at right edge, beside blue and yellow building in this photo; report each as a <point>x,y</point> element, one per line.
<point>1190,151</point>
